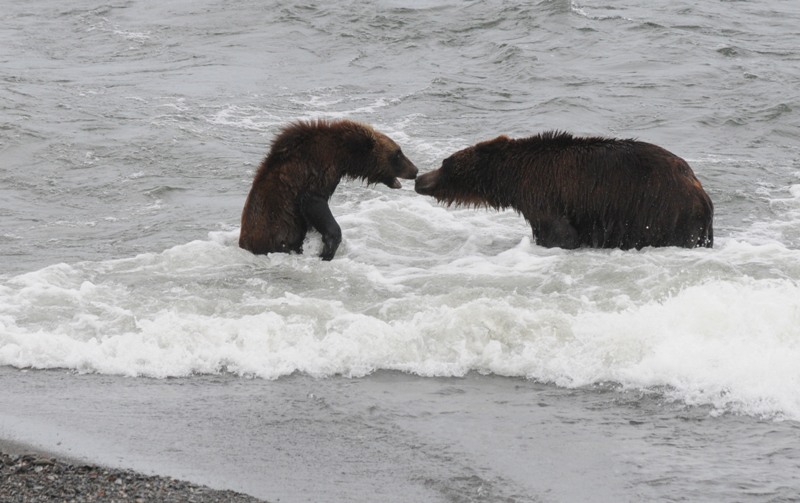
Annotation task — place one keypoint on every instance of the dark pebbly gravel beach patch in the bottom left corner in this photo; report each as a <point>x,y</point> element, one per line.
<point>35,477</point>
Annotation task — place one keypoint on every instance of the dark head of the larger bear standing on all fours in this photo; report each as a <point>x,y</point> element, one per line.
<point>468,177</point>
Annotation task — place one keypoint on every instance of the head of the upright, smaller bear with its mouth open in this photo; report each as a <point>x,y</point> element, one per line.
<point>375,157</point>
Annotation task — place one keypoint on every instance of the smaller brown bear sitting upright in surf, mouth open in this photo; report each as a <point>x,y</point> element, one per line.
<point>294,182</point>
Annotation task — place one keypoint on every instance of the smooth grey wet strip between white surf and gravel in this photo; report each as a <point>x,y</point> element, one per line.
<point>395,437</point>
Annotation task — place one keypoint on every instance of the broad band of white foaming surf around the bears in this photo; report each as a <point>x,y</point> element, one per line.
<point>431,291</point>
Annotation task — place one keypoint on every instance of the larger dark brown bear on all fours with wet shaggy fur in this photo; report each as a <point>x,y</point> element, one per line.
<point>581,192</point>
